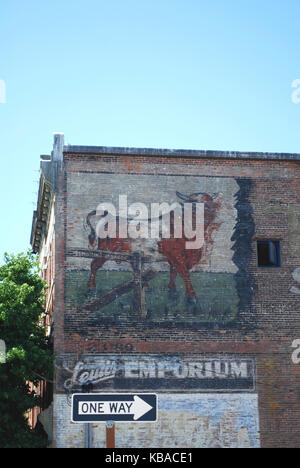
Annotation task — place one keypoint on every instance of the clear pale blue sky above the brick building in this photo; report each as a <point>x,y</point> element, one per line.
<point>194,74</point>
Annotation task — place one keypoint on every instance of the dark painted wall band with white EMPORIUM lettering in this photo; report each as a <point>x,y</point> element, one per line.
<point>143,372</point>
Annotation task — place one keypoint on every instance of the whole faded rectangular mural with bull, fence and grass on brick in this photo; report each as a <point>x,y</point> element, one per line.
<point>212,290</point>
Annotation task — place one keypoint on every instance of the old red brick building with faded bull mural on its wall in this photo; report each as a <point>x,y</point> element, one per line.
<point>209,330</point>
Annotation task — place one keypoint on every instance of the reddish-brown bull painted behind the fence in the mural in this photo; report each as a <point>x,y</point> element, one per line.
<point>173,250</point>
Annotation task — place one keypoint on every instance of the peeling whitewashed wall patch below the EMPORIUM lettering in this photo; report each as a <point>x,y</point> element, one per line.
<point>184,421</point>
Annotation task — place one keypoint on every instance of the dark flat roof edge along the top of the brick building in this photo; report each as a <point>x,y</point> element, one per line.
<point>125,151</point>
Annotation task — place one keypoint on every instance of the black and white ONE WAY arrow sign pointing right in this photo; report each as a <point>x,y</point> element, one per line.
<point>101,407</point>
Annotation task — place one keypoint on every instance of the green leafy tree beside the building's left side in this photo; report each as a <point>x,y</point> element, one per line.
<point>22,297</point>
